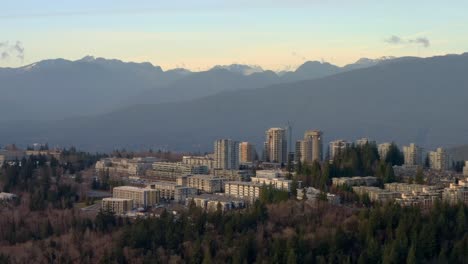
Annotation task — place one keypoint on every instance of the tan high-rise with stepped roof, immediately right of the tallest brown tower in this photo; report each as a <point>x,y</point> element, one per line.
<point>310,149</point>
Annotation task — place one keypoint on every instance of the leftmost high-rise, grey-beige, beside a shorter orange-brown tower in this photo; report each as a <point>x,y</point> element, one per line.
<point>226,152</point>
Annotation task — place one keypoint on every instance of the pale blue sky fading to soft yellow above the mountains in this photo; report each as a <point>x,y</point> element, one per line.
<point>274,34</point>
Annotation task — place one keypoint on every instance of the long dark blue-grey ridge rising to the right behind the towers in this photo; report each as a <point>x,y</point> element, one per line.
<point>403,100</point>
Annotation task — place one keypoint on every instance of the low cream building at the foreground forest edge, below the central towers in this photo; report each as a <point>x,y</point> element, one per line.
<point>211,202</point>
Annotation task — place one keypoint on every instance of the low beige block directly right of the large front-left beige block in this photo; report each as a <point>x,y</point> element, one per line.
<point>172,191</point>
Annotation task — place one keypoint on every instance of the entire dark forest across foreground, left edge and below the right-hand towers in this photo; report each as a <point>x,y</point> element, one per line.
<point>43,226</point>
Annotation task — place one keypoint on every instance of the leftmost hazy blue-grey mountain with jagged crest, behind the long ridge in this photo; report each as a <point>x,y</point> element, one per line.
<point>60,88</point>
